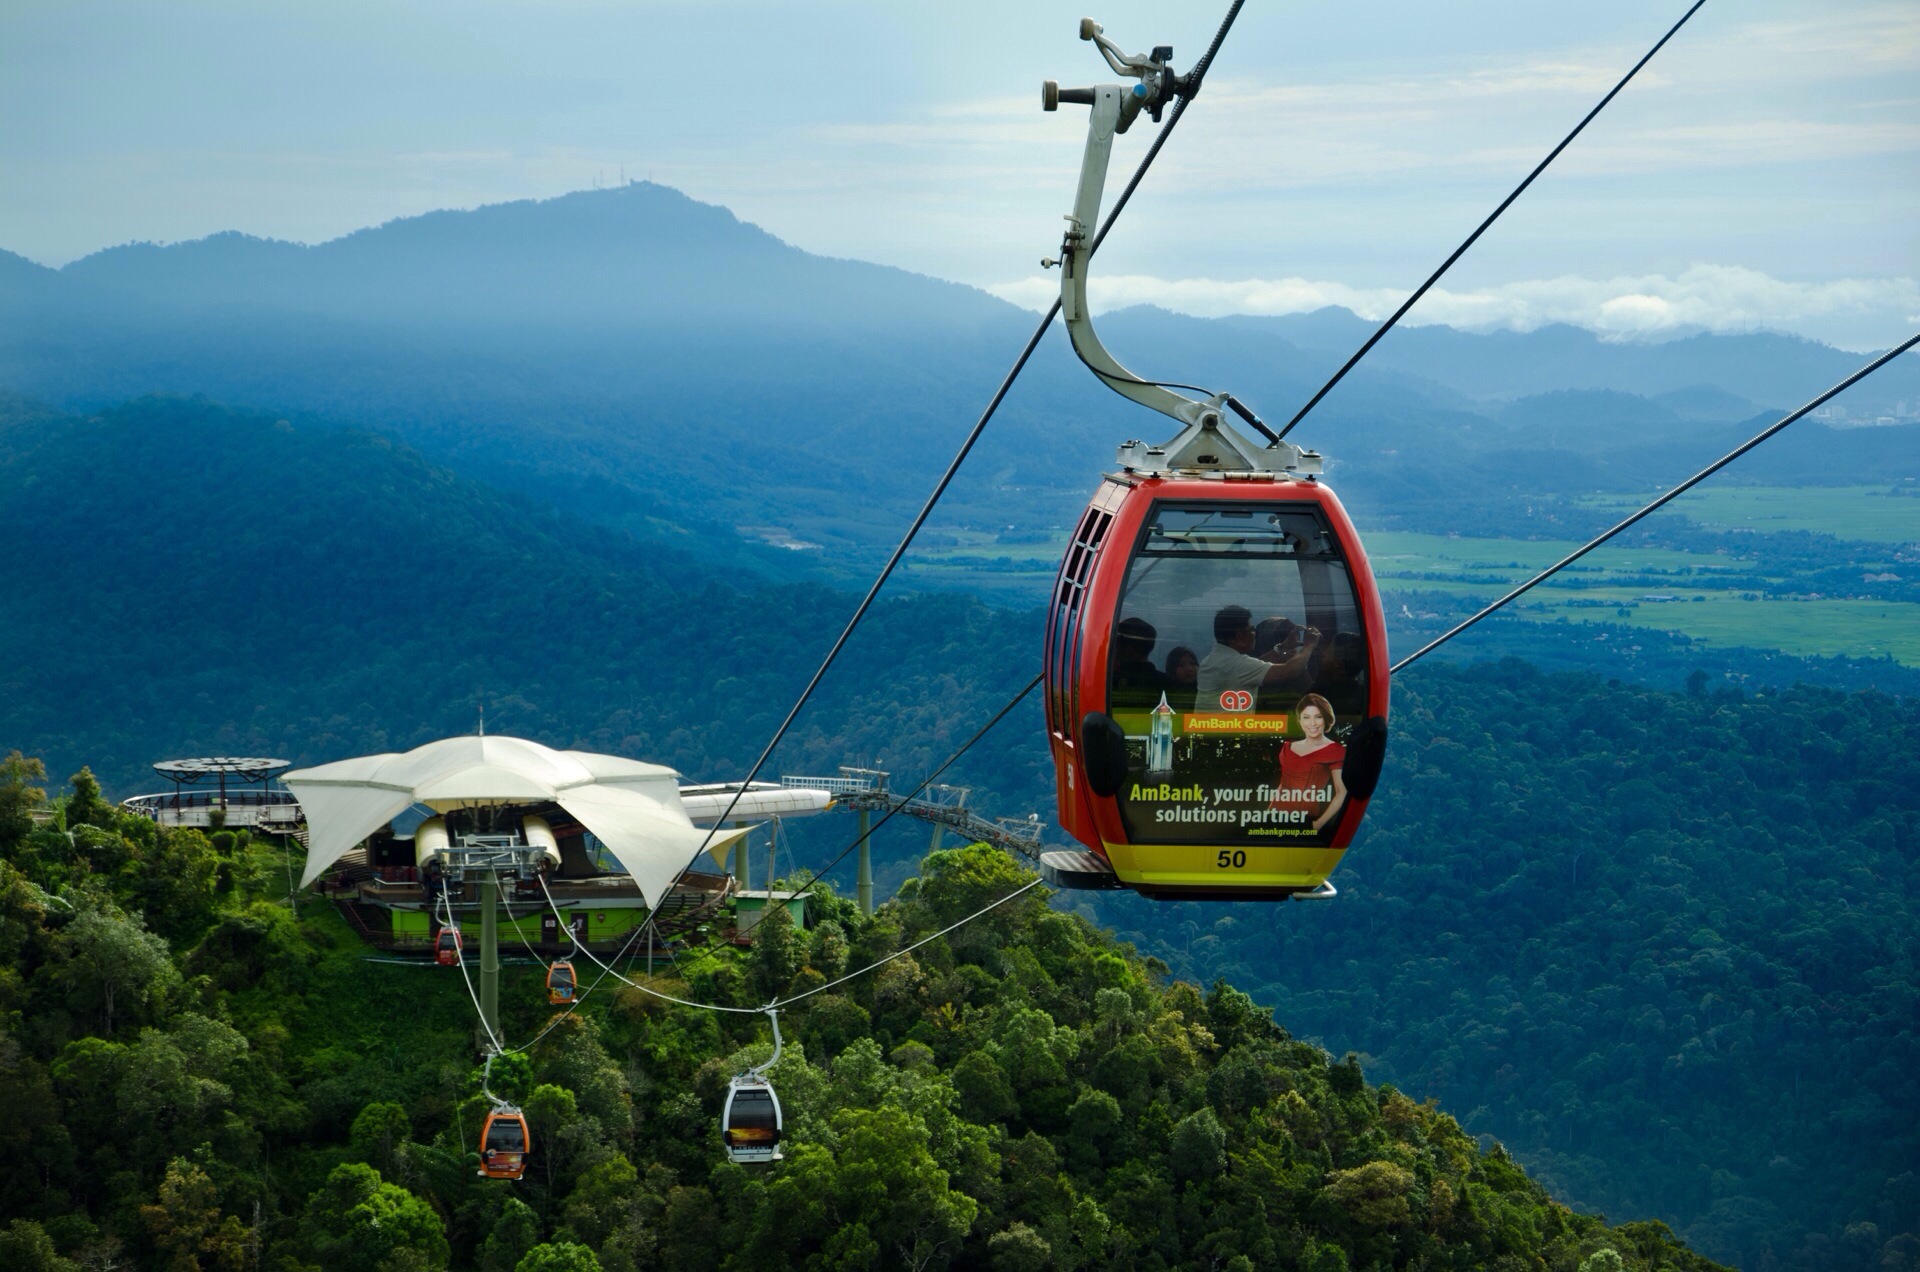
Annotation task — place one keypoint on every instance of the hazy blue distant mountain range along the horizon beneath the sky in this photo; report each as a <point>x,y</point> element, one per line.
<point>658,364</point>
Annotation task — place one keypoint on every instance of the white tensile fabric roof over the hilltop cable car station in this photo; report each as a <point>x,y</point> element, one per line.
<point>633,808</point>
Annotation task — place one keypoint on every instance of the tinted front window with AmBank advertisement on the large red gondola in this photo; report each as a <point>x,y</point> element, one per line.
<point>1237,670</point>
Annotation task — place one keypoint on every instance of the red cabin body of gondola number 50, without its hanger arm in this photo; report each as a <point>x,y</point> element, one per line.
<point>1155,835</point>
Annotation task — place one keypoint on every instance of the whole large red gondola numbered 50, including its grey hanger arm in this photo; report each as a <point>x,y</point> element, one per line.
<point>1216,652</point>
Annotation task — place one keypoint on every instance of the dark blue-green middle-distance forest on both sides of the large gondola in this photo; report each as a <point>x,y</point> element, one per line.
<point>201,581</point>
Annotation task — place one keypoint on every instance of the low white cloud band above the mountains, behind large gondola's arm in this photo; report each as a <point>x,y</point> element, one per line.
<point>1848,312</point>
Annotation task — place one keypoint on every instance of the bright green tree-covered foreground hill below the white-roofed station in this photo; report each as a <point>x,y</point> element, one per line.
<point>201,1079</point>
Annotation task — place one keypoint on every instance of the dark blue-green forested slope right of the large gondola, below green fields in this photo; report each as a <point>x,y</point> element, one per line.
<point>1662,944</point>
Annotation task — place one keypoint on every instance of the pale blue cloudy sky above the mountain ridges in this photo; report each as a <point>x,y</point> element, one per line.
<point>1764,172</point>
